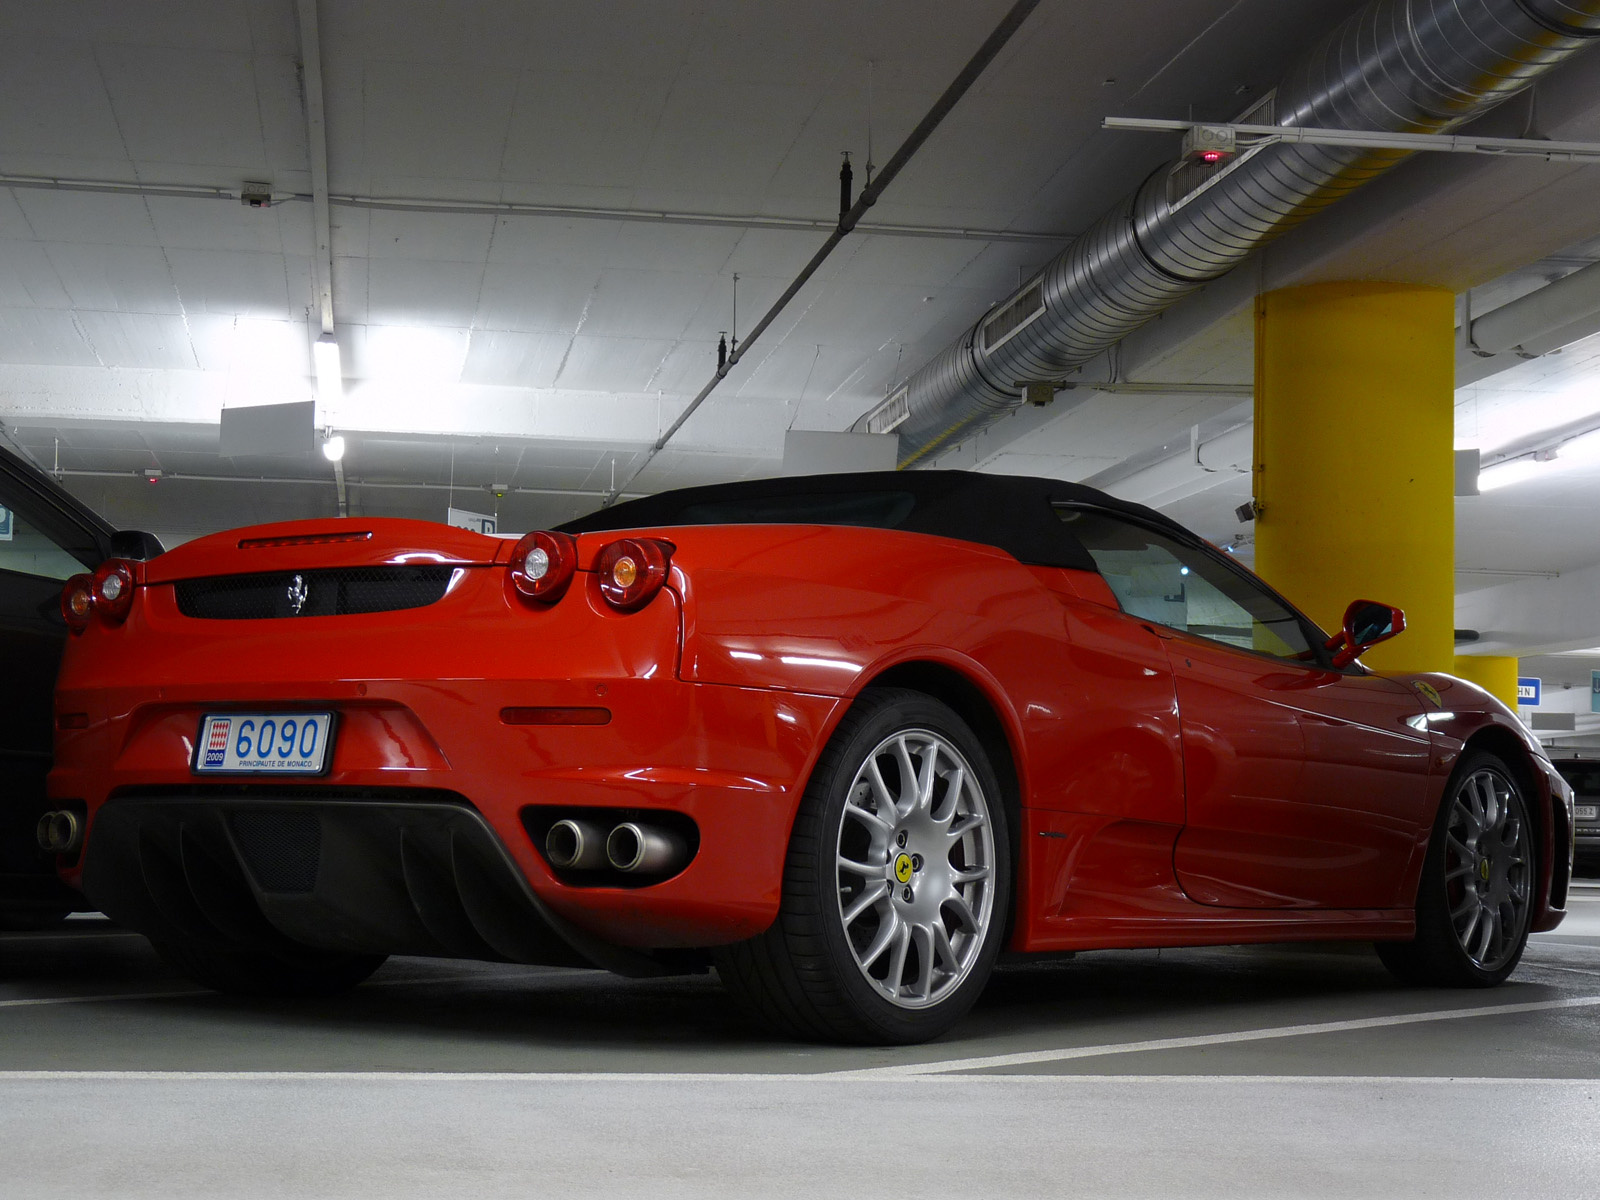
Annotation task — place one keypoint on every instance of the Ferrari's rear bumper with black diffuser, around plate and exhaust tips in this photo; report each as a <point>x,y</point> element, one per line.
<point>732,761</point>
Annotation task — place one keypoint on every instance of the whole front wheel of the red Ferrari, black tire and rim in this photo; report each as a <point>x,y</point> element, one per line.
<point>1474,905</point>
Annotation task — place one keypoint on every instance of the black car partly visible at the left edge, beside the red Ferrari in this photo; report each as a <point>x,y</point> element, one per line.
<point>46,538</point>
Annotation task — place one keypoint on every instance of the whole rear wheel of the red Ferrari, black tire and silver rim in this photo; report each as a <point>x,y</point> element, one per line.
<point>942,927</point>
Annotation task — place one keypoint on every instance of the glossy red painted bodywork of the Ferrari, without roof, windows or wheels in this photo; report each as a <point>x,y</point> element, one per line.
<point>1295,802</point>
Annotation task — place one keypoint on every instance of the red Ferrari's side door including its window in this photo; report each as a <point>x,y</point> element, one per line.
<point>1303,785</point>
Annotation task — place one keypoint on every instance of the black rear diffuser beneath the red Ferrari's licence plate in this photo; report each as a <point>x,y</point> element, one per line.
<point>423,876</point>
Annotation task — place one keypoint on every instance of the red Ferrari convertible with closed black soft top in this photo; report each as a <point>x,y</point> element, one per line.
<point>846,738</point>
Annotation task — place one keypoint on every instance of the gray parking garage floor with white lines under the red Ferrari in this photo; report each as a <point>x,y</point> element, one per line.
<point>1287,1071</point>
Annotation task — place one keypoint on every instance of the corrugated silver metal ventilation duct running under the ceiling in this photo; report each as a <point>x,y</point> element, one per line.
<point>1398,66</point>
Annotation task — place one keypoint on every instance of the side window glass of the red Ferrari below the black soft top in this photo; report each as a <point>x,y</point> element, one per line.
<point>1178,586</point>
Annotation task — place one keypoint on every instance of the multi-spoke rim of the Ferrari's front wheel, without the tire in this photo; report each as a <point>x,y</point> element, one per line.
<point>1489,868</point>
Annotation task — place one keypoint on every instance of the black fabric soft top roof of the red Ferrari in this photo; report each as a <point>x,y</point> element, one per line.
<point>1010,513</point>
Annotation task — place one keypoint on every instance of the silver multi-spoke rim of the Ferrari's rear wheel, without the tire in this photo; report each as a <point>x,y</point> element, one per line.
<point>916,868</point>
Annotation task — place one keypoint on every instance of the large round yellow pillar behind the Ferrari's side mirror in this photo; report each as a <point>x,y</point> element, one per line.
<point>1354,458</point>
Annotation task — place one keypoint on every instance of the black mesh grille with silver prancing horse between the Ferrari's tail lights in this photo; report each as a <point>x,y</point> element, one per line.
<point>326,593</point>
